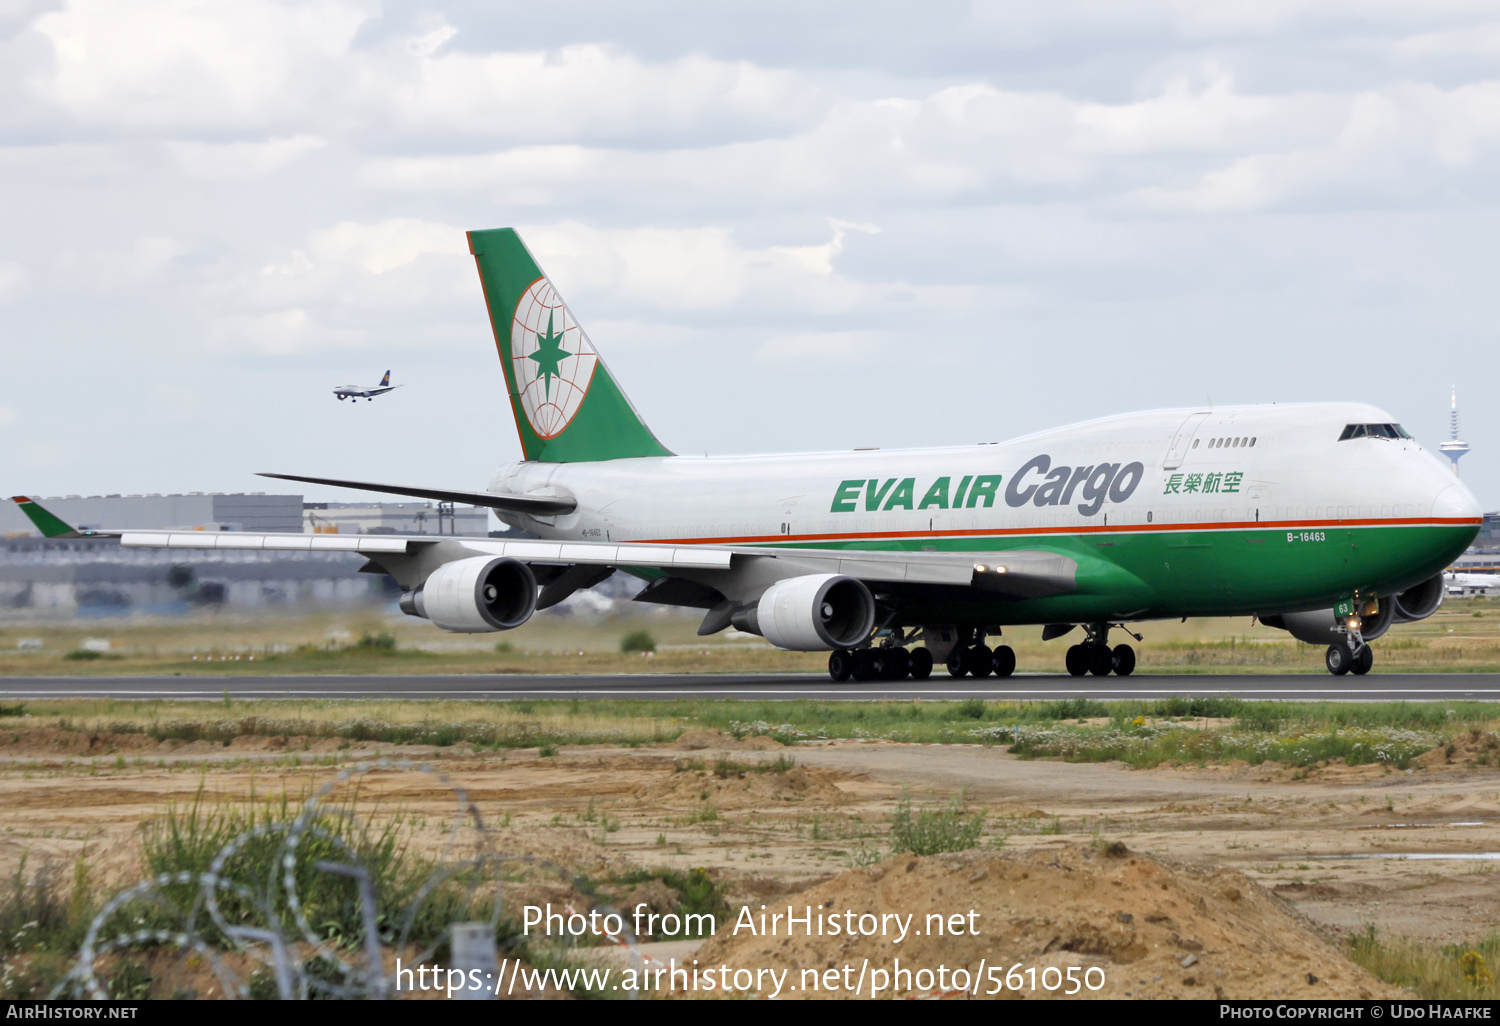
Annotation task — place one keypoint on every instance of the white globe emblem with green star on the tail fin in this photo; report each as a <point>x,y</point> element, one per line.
<point>551,358</point>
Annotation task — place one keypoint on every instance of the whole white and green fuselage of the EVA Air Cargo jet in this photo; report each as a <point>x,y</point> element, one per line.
<point>1166,514</point>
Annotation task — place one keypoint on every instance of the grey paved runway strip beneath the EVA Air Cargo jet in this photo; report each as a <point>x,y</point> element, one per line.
<point>1376,688</point>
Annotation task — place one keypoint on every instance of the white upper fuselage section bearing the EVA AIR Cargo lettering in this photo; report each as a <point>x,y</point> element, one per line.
<point>1282,464</point>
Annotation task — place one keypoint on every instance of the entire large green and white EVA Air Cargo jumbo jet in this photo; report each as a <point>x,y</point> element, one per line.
<point>1325,520</point>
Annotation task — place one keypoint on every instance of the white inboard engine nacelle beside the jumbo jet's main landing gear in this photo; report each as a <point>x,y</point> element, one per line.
<point>817,613</point>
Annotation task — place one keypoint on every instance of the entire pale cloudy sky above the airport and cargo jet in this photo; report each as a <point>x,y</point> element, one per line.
<point>787,227</point>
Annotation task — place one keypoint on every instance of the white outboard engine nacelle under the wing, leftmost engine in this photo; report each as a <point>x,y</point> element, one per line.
<point>476,596</point>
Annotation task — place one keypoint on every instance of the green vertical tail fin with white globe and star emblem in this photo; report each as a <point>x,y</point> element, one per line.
<point>568,406</point>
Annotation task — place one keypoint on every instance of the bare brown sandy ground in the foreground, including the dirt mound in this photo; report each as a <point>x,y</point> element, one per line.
<point>1307,853</point>
